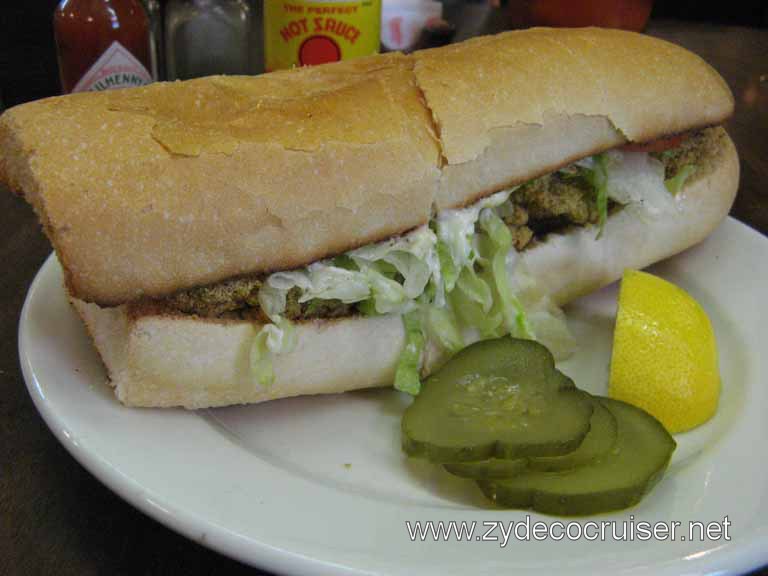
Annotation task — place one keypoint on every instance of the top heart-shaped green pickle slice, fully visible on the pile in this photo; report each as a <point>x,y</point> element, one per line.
<point>500,398</point>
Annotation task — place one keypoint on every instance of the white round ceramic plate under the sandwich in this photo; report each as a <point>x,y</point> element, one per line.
<point>319,485</point>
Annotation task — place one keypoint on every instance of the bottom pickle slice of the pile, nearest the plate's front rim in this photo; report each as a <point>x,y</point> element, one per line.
<point>616,480</point>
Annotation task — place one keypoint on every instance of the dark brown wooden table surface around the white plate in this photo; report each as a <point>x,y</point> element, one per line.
<point>55,518</point>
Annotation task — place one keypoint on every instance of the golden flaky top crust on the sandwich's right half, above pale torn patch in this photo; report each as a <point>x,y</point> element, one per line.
<point>644,86</point>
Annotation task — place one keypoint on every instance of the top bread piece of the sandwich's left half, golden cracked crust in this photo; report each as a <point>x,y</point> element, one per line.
<point>156,189</point>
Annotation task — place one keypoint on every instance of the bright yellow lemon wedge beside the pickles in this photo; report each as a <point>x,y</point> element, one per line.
<point>664,353</point>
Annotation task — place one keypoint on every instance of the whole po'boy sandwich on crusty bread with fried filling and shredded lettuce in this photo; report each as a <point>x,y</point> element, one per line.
<point>231,240</point>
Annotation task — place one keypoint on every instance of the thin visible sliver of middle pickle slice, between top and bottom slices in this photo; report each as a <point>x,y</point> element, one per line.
<point>599,440</point>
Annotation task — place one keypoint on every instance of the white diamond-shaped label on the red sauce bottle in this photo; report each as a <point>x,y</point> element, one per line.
<point>115,68</point>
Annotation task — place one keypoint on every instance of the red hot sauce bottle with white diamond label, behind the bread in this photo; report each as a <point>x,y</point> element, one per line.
<point>102,44</point>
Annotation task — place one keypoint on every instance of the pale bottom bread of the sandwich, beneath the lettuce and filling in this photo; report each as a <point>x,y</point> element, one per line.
<point>156,360</point>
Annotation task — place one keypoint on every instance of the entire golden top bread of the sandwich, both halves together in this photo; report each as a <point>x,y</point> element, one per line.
<point>148,191</point>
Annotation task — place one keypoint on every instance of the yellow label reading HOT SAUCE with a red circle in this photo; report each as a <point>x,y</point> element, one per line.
<point>306,32</point>
